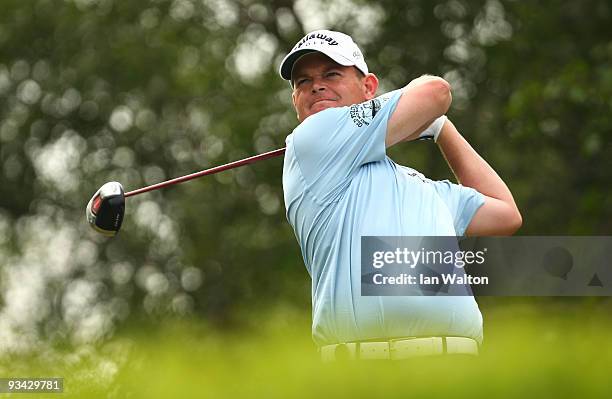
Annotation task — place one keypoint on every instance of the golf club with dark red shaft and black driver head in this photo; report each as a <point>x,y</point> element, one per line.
<point>106,208</point>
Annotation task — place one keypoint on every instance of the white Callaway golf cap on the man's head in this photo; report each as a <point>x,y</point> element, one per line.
<point>336,45</point>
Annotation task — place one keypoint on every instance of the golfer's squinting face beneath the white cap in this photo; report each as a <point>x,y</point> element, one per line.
<point>320,83</point>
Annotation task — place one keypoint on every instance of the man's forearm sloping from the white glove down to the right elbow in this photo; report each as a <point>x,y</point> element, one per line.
<point>469,167</point>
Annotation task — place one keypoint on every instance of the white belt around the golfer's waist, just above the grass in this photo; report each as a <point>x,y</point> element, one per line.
<point>401,348</point>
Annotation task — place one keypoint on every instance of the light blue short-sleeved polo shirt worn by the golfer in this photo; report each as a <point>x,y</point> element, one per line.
<point>339,185</point>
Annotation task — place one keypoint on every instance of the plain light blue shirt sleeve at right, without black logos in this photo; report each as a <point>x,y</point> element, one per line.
<point>461,201</point>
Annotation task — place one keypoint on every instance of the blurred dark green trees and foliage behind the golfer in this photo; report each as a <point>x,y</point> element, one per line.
<point>142,91</point>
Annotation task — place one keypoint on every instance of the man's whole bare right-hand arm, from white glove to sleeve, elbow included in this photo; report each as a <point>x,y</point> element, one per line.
<point>499,214</point>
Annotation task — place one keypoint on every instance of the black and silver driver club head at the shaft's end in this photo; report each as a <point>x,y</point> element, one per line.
<point>106,208</point>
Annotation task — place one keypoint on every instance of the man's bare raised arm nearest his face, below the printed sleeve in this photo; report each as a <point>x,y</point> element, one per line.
<point>423,100</point>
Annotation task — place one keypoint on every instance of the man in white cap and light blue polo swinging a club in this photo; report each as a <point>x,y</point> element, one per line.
<point>339,185</point>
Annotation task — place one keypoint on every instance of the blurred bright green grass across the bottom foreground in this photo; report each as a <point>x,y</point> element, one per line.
<point>531,350</point>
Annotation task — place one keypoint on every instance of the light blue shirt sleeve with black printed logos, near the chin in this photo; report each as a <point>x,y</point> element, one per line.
<point>330,146</point>
